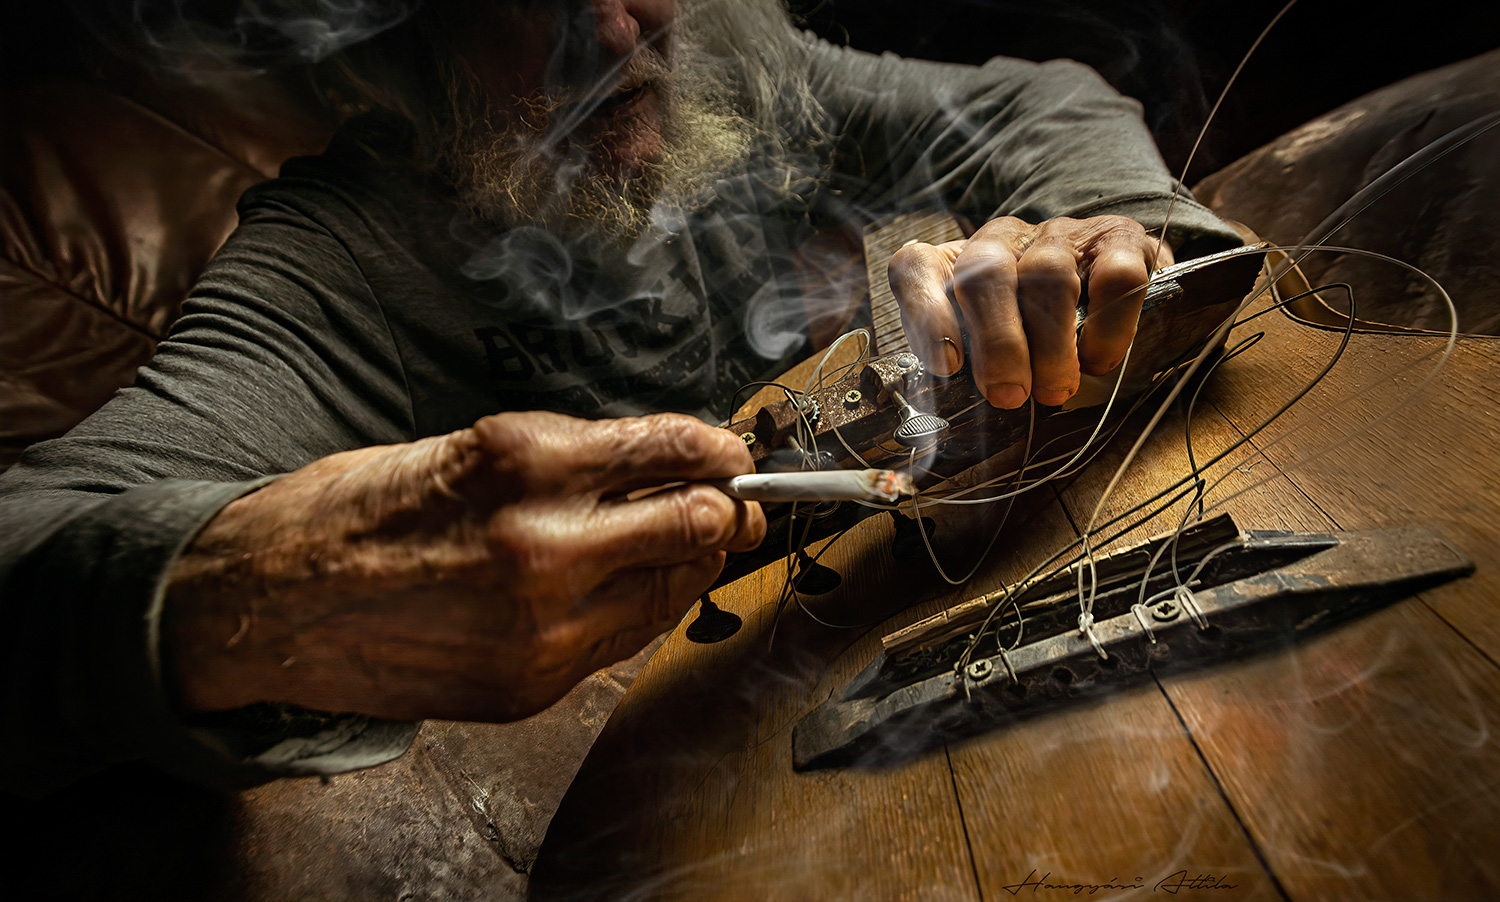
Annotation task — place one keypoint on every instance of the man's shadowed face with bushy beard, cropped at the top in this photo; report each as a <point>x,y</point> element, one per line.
<point>587,113</point>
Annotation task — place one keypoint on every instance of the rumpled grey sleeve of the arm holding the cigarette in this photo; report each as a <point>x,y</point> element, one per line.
<point>281,358</point>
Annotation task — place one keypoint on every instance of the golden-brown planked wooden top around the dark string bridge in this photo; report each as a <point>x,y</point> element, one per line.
<point>1360,765</point>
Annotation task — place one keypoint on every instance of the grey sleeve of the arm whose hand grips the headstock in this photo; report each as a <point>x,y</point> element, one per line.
<point>1007,139</point>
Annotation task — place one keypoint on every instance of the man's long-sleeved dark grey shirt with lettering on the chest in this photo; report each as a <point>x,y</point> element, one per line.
<point>356,305</point>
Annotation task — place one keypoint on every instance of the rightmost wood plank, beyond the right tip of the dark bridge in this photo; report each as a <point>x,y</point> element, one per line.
<point>1433,463</point>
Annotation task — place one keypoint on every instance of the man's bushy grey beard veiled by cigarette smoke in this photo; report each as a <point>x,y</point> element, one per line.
<point>532,170</point>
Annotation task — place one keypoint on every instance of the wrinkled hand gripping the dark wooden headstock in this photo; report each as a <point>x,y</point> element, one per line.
<point>1019,287</point>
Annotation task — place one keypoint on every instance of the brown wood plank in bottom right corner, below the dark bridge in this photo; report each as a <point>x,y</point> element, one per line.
<point>1364,762</point>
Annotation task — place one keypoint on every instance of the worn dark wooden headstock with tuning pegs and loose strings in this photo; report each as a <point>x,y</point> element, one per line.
<point>871,415</point>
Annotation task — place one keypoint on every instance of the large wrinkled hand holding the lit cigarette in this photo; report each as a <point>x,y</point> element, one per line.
<point>473,577</point>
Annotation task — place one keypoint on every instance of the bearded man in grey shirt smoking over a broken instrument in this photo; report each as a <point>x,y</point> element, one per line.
<point>383,468</point>
